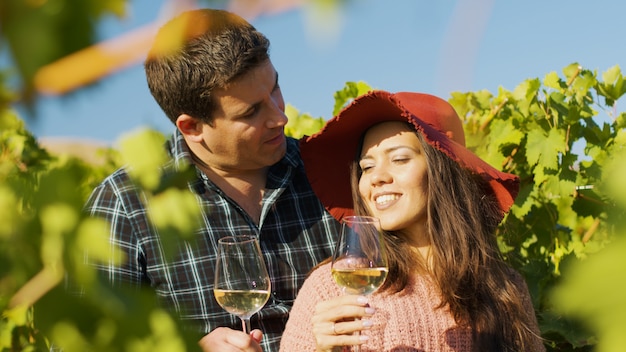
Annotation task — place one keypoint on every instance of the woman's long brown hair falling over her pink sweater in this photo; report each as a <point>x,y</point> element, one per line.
<point>467,266</point>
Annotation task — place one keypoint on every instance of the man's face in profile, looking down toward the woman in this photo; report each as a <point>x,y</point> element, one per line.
<point>247,131</point>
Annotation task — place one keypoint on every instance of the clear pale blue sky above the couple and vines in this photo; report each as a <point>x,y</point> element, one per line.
<point>435,47</point>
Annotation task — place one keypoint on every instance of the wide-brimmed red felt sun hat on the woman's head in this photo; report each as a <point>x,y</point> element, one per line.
<point>327,155</point>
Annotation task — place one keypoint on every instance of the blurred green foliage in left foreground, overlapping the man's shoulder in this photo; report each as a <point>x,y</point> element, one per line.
<point>44,234</point>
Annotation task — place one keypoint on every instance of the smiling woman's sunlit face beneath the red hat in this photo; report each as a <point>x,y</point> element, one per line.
<point>394,184</point>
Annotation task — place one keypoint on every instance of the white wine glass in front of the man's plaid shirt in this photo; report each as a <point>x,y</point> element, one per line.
<point>242,284</point>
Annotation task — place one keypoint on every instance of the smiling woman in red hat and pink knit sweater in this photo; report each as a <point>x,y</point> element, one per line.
<point>448,288</point>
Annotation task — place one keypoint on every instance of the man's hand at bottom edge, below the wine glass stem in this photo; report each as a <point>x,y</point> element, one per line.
<point>227,340</point>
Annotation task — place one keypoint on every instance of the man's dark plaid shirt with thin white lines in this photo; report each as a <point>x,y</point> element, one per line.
<point>295,234</point>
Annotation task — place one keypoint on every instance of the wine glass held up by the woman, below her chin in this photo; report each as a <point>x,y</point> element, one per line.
<point>359,264</point>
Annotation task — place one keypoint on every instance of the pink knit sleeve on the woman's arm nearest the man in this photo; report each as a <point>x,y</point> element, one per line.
<point>298,334</point>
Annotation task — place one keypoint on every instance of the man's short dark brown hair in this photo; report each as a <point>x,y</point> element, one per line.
<point>197,52</point>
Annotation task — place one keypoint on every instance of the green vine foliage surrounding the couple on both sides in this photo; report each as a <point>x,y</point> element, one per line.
<point>562,133</point>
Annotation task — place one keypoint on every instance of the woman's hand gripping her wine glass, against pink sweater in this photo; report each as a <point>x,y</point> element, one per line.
<point>336,320</point>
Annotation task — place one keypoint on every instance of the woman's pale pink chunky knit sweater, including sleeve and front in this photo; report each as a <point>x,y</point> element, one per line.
<point>408,321</point>
